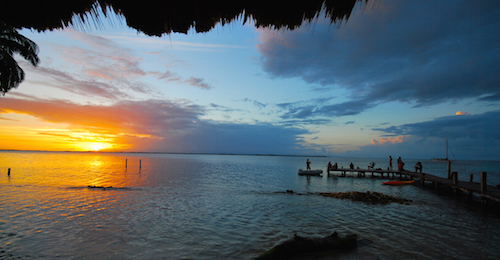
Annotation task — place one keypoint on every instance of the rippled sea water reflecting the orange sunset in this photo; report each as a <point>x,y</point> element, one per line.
<point>226,207</point>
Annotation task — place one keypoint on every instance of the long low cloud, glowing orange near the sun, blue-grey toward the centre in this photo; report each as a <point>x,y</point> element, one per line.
<point>162,126</point>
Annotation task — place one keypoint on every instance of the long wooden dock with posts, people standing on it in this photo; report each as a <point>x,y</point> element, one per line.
<point>481,188</point>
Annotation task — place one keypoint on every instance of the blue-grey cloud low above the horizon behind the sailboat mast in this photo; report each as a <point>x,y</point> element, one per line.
<point>470,137</point>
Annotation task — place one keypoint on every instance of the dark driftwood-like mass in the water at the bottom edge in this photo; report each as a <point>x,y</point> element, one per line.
<point>300,245</point>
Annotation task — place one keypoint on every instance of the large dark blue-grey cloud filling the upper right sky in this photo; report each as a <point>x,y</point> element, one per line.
<point>398,51</point>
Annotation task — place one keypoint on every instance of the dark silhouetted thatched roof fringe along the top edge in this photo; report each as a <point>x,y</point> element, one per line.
<point>154,17</point>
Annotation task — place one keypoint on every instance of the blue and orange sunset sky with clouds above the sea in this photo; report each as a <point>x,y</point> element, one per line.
<point>398,78</point>
